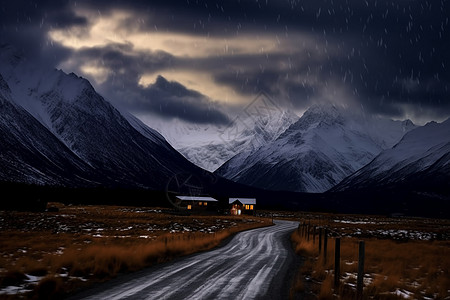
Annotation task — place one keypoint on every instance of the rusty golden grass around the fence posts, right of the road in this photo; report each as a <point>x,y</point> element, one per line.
<point>419,267</point>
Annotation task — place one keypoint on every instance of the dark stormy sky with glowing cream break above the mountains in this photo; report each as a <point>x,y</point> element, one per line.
<point>201,61</point>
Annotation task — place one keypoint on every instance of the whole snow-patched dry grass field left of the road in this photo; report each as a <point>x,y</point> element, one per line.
<point>51,254</point>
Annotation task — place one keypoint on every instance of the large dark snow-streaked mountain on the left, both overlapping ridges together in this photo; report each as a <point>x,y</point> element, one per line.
<point>65,114</point>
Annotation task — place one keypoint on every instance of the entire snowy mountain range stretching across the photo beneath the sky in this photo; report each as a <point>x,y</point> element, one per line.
<point>56,130</point>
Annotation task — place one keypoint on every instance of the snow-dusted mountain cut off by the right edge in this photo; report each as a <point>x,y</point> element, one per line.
<point>420,160</point>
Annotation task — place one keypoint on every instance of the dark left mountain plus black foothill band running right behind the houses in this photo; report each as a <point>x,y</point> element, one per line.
<point>61,141</point>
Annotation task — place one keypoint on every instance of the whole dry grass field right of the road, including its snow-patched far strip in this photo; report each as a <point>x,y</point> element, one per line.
<point>405,258</point>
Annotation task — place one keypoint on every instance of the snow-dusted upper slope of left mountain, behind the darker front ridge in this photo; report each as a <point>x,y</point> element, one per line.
<point>94,131</point>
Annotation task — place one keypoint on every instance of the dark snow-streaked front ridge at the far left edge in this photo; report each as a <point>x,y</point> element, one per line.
<point>30,153</point>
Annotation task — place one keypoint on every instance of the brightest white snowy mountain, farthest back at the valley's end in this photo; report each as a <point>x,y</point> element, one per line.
<point>209,146</point>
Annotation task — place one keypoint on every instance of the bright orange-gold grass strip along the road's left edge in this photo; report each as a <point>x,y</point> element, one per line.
<point>101,261</point>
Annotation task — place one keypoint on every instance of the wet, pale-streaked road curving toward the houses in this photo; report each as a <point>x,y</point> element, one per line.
<point>253,265</point>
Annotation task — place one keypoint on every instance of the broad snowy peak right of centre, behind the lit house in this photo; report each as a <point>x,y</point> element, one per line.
<point>327,144</point>
